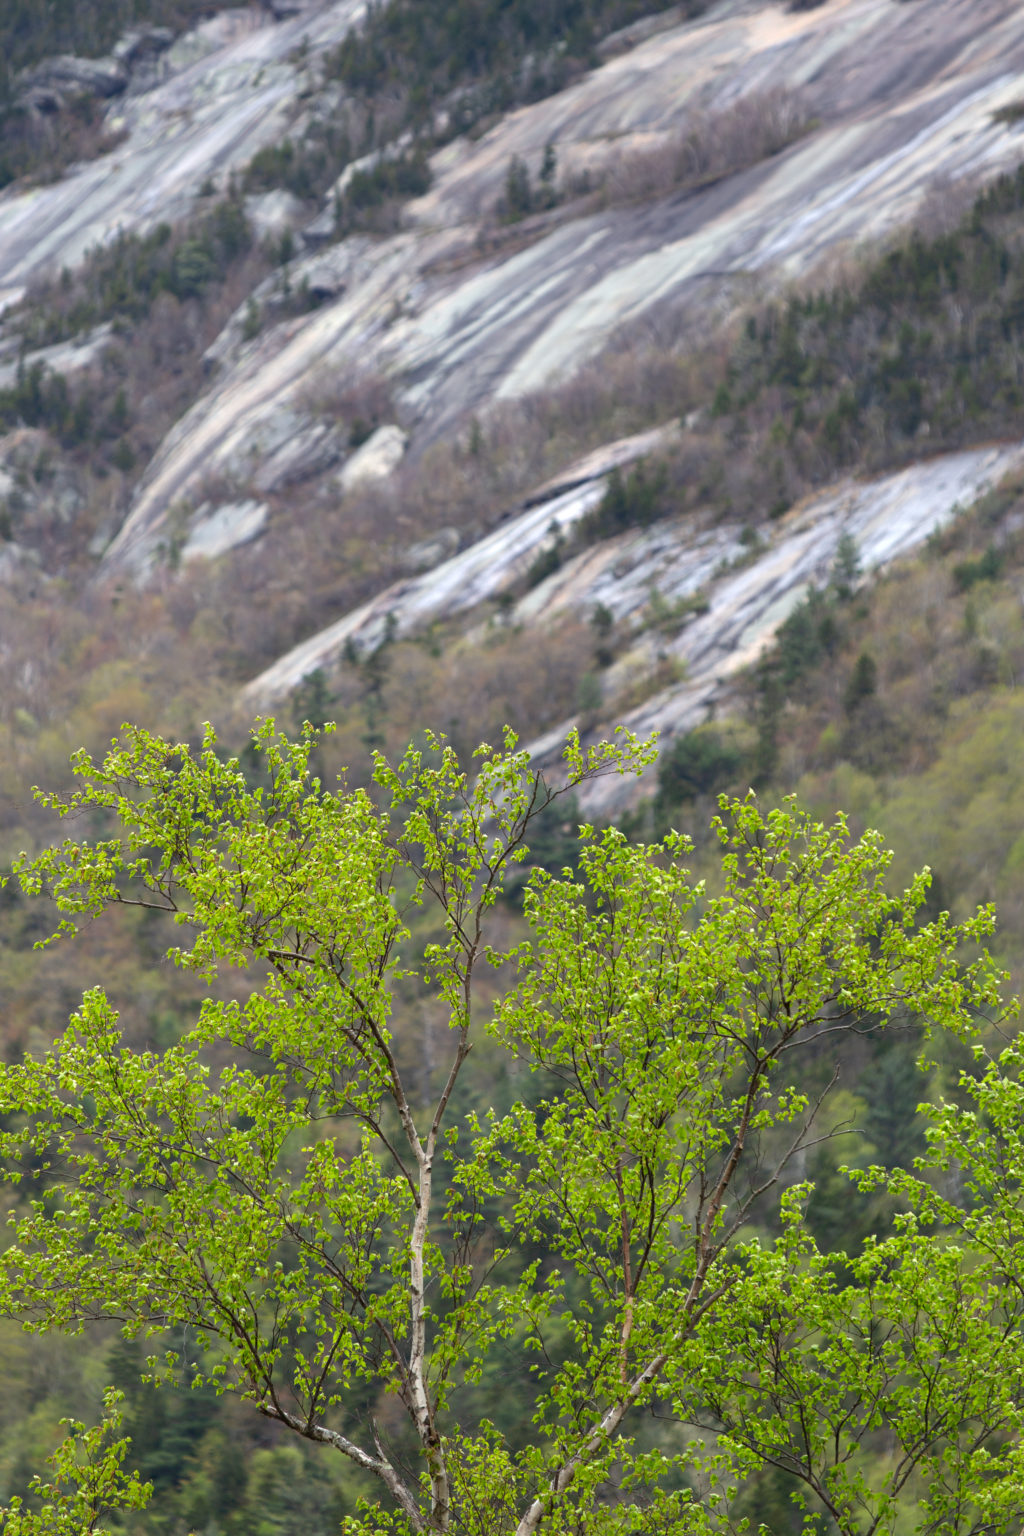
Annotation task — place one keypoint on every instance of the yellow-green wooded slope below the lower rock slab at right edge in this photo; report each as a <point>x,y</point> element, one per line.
<point>902,701</point>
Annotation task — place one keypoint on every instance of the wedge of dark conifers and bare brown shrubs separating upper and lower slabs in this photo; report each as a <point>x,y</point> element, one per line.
<point>919,353</point>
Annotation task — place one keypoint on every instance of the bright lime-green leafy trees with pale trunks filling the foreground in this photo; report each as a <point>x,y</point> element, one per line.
<point>348,1240</point>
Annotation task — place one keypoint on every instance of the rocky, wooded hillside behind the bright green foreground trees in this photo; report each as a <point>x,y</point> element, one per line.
<point>507,363</point>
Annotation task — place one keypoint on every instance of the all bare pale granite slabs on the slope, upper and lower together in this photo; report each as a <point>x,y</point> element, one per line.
<point>880,108</point>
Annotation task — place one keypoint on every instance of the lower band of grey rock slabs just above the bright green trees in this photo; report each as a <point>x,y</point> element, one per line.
<point>745,594</point>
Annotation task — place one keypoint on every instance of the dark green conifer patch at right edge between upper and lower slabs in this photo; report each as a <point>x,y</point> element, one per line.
<point>925,346</point>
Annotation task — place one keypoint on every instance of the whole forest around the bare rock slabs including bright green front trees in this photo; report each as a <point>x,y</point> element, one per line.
<point>429,1160</point>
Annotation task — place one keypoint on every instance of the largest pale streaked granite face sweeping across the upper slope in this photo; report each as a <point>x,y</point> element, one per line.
<point>903,98</point>
